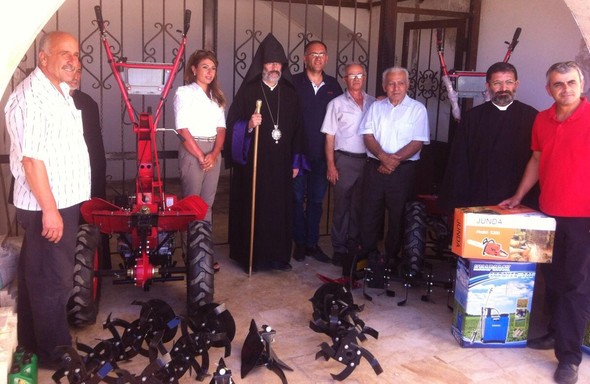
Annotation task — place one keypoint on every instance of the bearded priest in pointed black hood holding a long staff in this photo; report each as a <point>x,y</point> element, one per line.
<point>280,149</point>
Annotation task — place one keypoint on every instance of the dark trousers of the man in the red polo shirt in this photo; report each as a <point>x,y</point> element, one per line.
<point>568,287</point>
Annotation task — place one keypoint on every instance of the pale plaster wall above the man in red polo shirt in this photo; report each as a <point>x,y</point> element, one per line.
<point>549,34</point>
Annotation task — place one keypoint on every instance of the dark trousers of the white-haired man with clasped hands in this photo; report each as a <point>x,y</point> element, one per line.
<point>382,192</point>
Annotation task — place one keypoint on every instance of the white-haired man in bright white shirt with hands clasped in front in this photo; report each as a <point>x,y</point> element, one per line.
<point>394,131</point>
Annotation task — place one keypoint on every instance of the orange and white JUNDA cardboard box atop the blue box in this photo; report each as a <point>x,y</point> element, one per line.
<point>494,233</point>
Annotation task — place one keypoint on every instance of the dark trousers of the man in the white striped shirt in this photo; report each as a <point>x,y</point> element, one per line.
<point>45,280</point>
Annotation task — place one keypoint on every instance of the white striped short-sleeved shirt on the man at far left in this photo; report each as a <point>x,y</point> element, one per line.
<point>45,125</point>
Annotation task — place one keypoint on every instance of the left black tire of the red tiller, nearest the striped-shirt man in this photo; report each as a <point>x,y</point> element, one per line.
<point>83,303</point>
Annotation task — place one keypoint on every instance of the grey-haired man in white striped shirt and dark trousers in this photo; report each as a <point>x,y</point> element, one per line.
<point>50,164</point>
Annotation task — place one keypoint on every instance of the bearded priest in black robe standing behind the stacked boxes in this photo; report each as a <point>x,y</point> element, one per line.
<point>491,147</point>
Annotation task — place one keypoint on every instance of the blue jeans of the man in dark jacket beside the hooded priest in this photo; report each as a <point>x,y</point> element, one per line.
<point>309,188</point>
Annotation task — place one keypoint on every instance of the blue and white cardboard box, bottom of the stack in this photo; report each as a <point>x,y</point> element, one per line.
<point>492,303</point>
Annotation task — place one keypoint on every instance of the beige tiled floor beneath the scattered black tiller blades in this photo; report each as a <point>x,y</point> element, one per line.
<point>415,344</point>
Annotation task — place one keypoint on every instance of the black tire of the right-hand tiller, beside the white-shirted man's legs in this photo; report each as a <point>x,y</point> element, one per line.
<point>414,246</point>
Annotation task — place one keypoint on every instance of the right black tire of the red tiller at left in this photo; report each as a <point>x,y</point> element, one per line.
<point>199,264</point>
